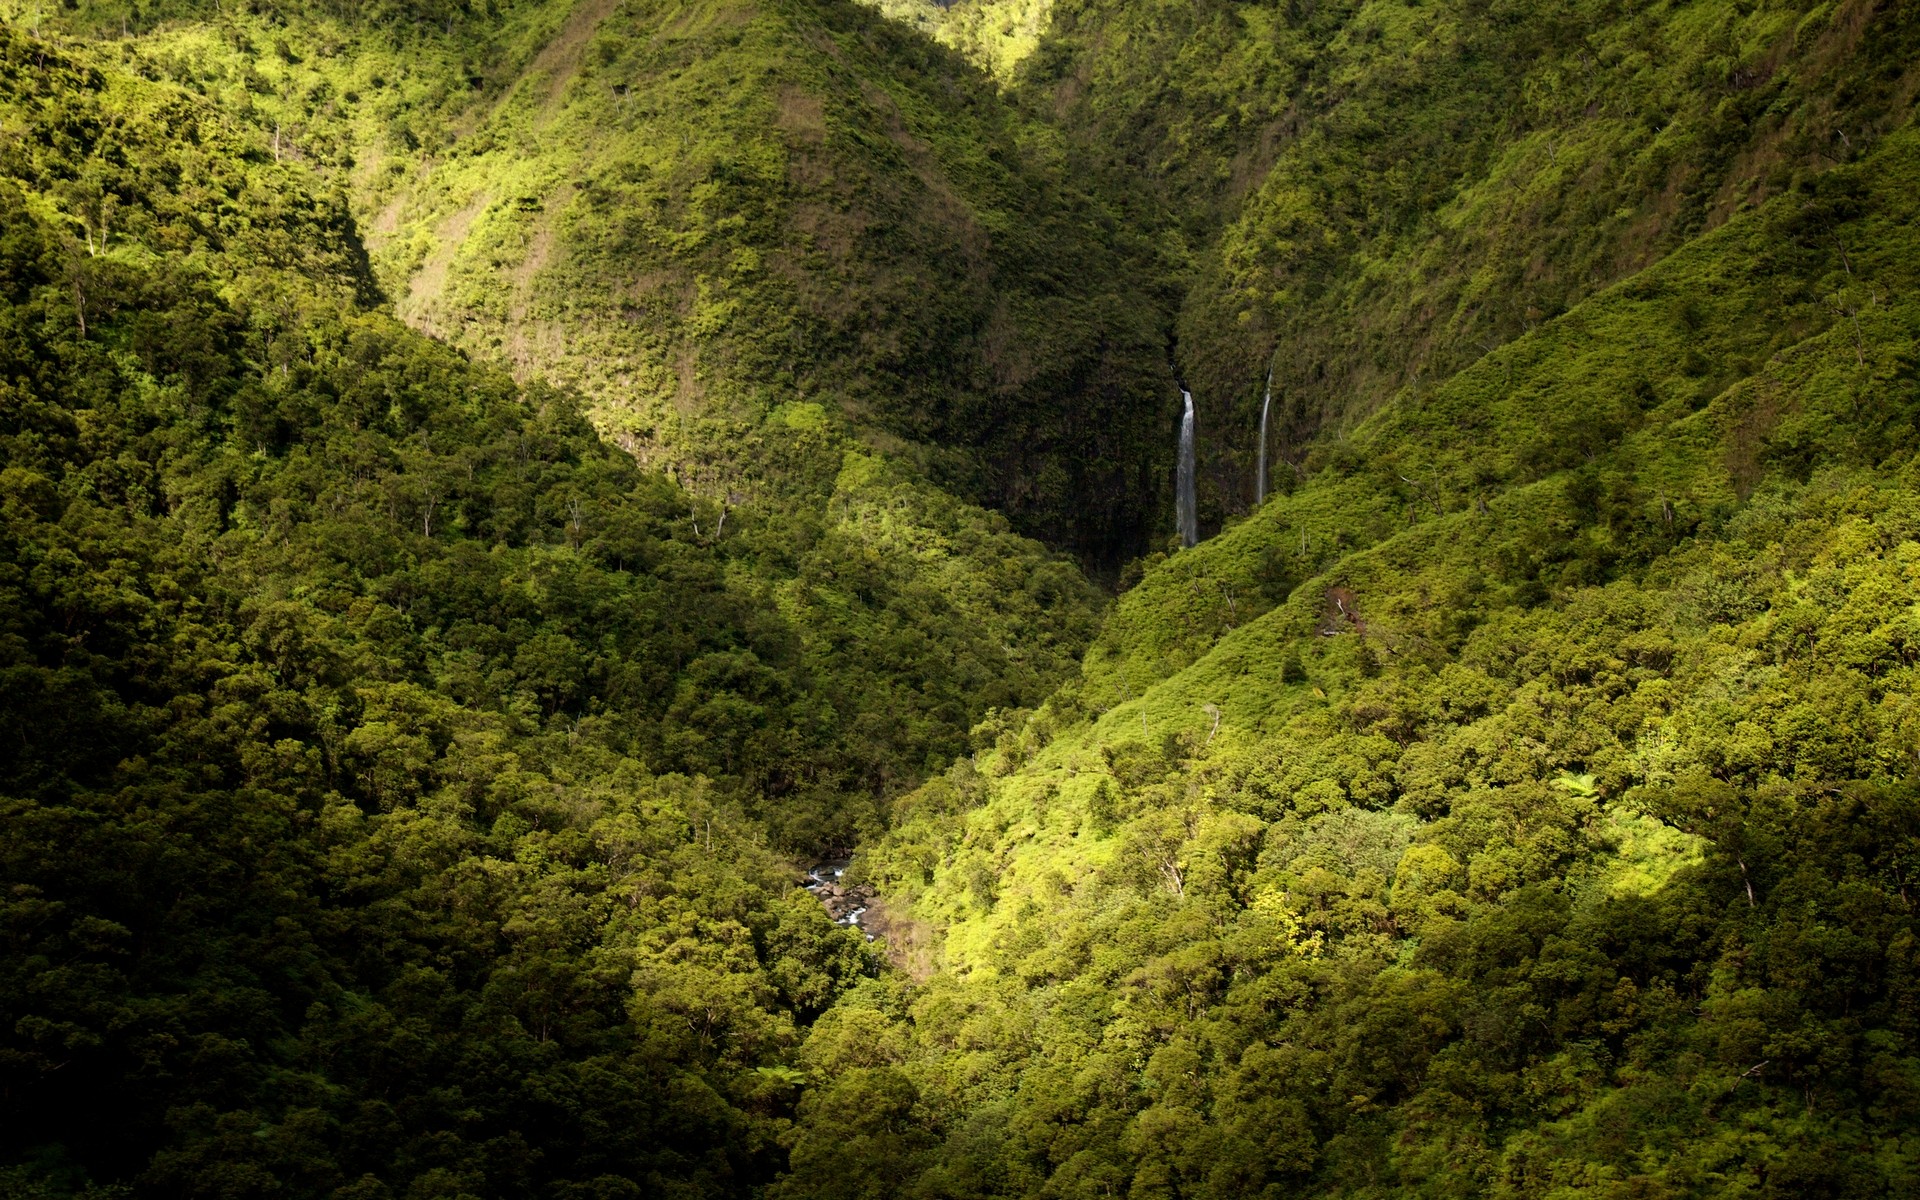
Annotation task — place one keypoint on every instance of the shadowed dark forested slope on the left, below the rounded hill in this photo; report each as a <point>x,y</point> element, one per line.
<point>395,771</point>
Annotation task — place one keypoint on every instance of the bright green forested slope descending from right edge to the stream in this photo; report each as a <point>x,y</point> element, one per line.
<point>1554,836</point>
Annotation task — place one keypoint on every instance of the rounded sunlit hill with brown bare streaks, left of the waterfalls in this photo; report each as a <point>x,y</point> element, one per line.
<point>696,212</point>
